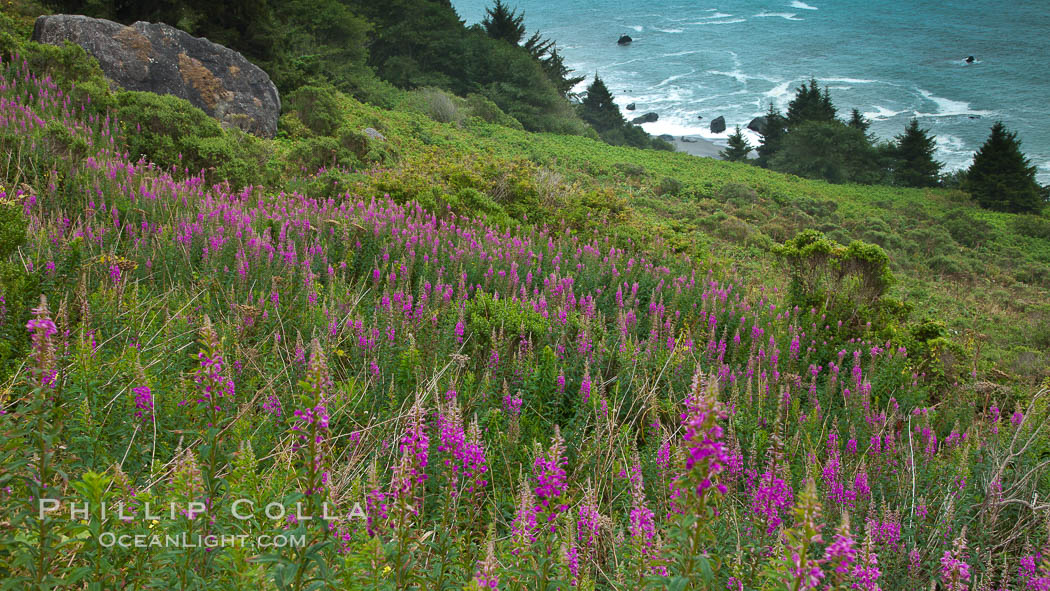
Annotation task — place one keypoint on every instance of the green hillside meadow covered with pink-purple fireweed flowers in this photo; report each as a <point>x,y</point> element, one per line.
<point>498,360</point>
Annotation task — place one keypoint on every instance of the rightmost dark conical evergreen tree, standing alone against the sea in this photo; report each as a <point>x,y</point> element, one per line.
<point>1001,178</point>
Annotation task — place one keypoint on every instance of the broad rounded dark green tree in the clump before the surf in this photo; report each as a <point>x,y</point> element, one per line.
<point>829,151</point>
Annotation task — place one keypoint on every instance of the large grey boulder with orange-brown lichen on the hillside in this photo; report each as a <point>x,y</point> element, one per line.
<point>162,59</point>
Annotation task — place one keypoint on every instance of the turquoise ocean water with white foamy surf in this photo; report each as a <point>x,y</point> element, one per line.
<point>892,60</point>
